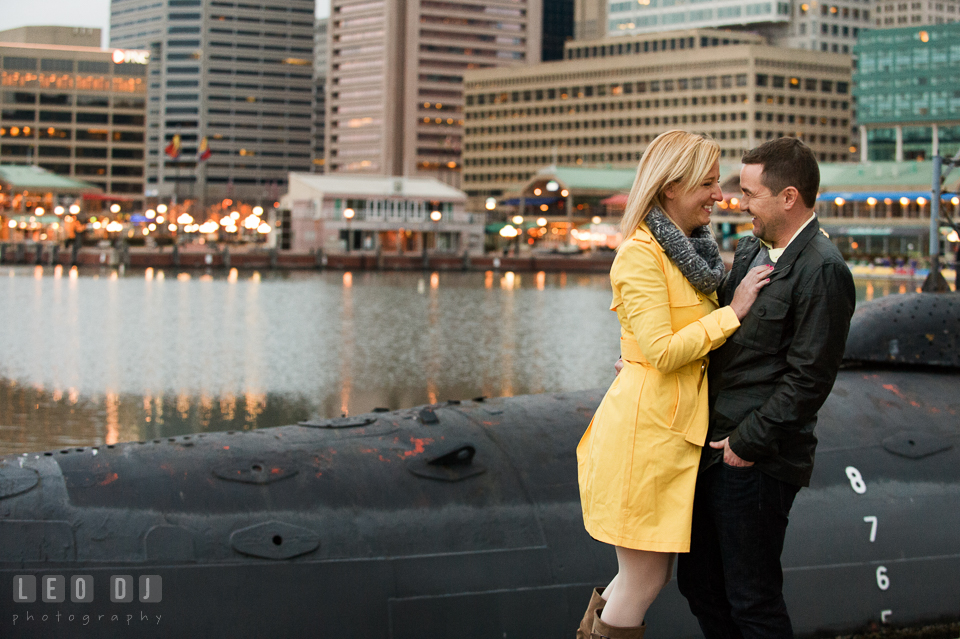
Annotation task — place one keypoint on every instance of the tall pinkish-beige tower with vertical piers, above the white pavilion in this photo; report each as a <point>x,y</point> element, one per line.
<point>395,96</point>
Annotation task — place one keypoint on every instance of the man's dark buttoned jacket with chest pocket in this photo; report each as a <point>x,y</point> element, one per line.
<point>768,381</point>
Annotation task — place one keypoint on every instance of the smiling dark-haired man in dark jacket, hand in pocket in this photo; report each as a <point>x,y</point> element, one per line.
<point>766,385</point>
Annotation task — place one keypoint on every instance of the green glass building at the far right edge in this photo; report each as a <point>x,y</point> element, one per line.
<point>907,87</point>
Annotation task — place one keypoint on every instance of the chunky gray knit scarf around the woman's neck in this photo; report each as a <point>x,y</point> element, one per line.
<point>697,256</point>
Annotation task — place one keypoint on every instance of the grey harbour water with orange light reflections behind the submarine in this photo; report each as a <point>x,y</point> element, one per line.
<point>103,357</point>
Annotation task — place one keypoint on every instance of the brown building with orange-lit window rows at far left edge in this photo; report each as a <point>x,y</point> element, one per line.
<point>73,108</point>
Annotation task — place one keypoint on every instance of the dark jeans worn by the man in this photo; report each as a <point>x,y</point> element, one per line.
<point>732,577</point>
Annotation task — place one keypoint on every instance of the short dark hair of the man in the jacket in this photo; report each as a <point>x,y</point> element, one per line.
<point>787,162</point>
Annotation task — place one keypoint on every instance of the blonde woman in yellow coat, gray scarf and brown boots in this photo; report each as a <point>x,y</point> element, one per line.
<point>638,458</point>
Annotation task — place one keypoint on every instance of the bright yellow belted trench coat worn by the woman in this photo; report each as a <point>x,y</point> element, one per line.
<point>638,458</point>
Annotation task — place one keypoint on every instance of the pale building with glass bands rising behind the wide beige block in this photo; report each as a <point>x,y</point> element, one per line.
<point>832,25</point>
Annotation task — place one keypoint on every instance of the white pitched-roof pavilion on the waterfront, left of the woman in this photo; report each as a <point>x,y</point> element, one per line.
<point>391,215</point>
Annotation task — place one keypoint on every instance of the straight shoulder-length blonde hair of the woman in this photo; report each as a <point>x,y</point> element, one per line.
<point>674,157</point>
